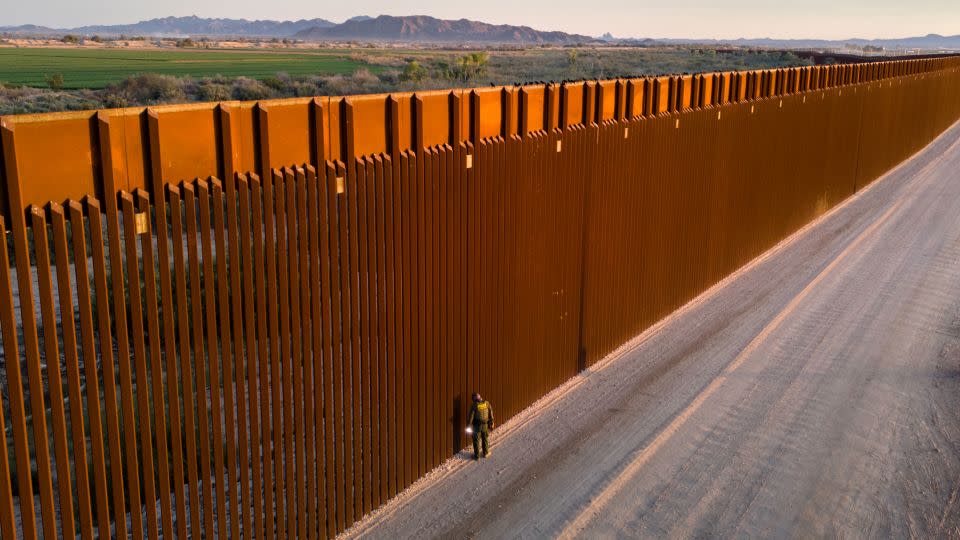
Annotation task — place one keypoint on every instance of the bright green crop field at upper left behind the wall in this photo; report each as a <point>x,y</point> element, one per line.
<point>96,68</point>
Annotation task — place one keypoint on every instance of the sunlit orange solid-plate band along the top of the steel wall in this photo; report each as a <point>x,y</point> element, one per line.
<point>69,155</point>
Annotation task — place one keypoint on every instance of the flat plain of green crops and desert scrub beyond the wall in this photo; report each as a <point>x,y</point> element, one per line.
<point>49,79</point>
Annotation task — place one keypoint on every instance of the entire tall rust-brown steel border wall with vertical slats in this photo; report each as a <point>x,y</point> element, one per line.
<point>266,319</point>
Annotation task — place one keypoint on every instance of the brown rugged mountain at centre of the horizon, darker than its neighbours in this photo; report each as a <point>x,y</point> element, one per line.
<point>423,29</point>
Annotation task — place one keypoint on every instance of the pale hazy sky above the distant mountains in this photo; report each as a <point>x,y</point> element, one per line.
<point>730,19</point>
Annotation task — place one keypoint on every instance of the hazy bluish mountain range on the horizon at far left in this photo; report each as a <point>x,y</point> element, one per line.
<point>182,26</point>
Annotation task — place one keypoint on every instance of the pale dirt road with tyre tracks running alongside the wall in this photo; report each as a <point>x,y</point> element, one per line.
<point>815,393</point>
